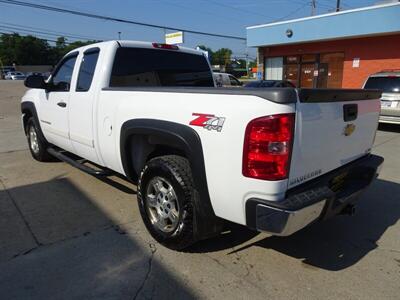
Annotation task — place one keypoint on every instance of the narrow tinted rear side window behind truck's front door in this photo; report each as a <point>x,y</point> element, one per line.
<point>86,71</point>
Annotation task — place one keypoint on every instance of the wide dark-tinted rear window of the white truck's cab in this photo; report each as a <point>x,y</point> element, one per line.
<point>134,67</point>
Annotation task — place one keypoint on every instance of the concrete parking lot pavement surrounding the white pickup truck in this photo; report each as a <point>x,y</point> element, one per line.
<point>66,234</point>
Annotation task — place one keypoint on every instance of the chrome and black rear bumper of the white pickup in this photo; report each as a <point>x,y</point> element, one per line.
<point>318,199</point>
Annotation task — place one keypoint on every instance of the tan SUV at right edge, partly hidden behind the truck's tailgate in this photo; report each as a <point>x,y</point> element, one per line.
<point>389,82</point>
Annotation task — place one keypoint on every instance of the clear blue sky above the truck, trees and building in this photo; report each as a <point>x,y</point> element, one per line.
<point>228,17</point>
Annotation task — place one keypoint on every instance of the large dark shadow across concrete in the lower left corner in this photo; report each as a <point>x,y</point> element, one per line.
<point>57,242</point>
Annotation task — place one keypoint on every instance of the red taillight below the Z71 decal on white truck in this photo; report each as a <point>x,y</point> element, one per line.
<point>267,147</point>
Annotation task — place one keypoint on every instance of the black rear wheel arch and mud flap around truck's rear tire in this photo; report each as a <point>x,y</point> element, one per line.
<point>143,139</point>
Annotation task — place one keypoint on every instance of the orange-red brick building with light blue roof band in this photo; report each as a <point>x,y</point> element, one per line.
<point>329,51</point>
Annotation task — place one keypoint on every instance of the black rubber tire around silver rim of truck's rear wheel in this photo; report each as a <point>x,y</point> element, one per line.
<point>175,170</point>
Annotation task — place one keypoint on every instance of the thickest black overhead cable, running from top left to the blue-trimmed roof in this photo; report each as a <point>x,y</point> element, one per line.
<point>107,18</point>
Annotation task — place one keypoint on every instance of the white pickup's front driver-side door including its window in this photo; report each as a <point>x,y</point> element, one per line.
<point>55,105</point>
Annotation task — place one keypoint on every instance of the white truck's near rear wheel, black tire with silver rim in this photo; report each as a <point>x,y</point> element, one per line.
<point>165,197</point>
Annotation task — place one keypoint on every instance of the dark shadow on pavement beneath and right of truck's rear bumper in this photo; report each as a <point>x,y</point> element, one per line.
<point>332,245</point>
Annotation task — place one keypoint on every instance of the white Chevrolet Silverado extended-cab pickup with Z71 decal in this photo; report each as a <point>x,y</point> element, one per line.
<point>274,159</point>
